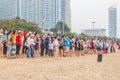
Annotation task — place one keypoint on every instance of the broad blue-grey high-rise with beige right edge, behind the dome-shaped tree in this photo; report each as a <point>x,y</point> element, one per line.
<point>52,11</point>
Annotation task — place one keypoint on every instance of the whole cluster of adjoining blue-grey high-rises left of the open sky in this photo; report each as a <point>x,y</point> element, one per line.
<point>46,13</point>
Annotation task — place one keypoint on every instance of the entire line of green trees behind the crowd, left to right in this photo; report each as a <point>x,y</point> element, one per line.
<point>21,24</point>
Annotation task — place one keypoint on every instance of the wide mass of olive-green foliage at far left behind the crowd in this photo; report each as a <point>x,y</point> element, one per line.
<point>19,24</point>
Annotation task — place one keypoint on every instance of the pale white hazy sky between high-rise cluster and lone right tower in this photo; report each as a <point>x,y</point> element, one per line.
<point>86,11</point>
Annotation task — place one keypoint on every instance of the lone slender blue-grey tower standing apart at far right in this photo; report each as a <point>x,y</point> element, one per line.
<point>113,21</point>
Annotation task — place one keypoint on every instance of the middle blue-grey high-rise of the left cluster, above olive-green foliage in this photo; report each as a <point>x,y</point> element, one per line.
<point>29,10</point>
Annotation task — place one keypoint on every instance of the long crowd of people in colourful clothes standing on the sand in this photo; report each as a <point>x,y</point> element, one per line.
<point>17,44</point>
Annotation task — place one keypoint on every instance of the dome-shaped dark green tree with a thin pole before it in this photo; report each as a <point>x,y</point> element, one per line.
<point>59,27</point>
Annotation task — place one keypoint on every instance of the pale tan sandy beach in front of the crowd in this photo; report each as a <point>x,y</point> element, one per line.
<point>68,68</point>
